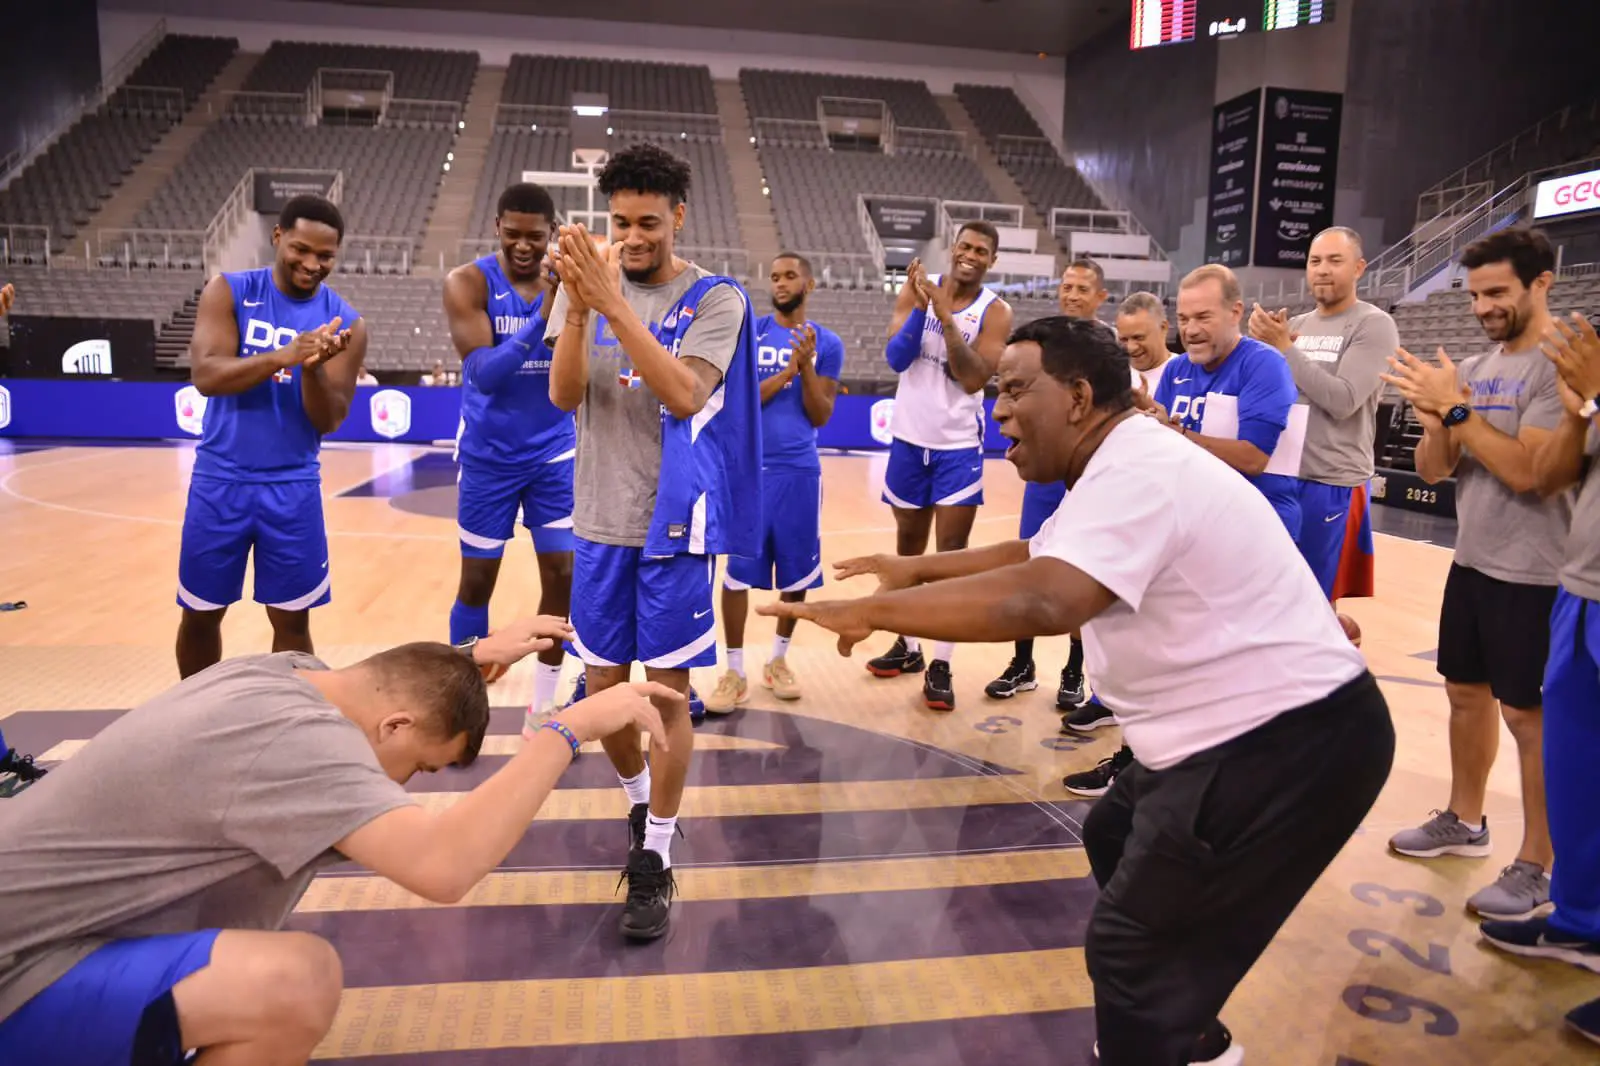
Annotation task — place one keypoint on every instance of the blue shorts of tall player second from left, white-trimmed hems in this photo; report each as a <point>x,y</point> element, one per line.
<point>487,503</point>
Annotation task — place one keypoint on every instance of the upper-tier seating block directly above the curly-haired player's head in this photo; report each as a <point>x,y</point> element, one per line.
<point>630,84</point>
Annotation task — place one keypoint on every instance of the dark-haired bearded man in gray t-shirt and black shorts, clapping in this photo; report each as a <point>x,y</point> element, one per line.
<point>1486,422</point>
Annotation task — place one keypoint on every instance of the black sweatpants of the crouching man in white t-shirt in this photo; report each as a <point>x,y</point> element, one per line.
<point>1201,865</point>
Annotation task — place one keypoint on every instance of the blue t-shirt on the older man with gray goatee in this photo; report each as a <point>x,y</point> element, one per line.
<point>1250,393</point>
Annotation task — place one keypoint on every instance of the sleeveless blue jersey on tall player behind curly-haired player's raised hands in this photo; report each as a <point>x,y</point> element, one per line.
<point>516,425</point>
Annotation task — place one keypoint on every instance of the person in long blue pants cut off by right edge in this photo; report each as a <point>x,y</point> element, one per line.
<point>1572,678</point>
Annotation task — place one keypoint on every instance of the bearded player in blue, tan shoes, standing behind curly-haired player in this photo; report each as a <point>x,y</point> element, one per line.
<point>799,364</point>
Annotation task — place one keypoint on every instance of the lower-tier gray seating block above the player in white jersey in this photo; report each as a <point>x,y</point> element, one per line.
<point>815,190</point>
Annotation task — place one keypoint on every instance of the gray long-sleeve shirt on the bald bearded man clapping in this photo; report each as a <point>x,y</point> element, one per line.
<point>1337,363</point>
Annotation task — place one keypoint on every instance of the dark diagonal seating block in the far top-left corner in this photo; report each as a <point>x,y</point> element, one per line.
<point>66,186</point>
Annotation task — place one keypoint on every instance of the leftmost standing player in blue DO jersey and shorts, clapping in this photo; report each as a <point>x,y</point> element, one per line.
<point>276,353</point>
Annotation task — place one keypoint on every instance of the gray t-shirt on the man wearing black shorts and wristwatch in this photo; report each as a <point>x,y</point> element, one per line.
<point>1511,537</point>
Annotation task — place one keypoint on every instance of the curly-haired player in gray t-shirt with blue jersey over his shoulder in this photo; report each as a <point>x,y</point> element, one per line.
<point>658,359</point>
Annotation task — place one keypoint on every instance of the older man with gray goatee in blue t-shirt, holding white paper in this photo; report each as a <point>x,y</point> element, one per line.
<point>1234,396</point>
